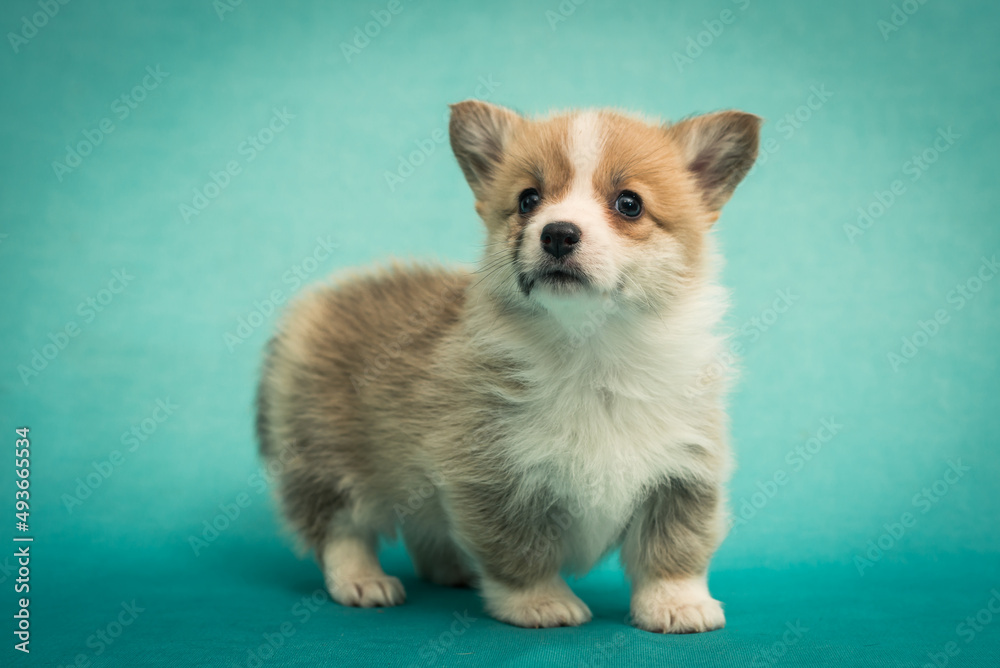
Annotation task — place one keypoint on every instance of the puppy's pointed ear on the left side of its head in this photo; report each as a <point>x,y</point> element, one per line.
<point>479,132</point>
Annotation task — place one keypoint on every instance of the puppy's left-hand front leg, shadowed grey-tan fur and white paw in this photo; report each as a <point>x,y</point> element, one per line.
<point>519,553</point>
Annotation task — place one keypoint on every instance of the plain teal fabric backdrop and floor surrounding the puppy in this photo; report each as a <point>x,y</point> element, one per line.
<point>794,561</point>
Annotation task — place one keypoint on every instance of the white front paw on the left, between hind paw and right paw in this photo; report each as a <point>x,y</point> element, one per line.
<point>542,606</point>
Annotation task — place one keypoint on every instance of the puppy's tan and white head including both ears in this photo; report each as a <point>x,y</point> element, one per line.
<point>596,203</point>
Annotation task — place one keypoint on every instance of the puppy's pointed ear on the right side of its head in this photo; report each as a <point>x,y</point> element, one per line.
<point>719,149</point>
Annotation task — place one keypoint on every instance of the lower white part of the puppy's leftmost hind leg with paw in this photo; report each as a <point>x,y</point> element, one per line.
<point>351,569</point>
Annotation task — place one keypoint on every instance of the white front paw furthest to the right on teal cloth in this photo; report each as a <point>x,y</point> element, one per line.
<point>676,606</point>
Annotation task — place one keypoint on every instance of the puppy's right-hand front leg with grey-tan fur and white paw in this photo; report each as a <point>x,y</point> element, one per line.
<point>666,552</point>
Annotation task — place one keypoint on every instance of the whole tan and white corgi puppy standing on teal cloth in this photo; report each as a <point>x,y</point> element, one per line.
<point>520,421</point>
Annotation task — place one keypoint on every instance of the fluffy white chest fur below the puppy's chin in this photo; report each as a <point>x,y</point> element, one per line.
<point>602,423</point>
